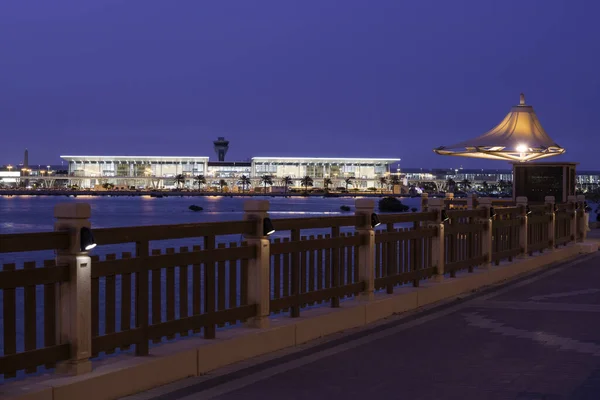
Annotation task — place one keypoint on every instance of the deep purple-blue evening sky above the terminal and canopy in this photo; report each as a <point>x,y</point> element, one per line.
<point>349,78</point>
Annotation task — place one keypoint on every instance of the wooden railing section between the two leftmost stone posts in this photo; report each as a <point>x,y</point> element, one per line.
<point>216,296</point>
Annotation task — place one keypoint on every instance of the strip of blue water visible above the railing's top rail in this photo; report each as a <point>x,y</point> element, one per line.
<point>20,214</point>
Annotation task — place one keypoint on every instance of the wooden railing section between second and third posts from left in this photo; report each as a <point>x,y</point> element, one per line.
<point>308,270</point>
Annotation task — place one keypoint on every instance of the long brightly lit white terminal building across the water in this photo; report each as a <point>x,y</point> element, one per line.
<point>160,172</point>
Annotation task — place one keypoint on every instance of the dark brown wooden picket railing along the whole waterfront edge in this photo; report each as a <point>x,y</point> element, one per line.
<point>157,283</point>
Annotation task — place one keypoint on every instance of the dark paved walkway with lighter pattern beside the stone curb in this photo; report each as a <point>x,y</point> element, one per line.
<point>537,338</point>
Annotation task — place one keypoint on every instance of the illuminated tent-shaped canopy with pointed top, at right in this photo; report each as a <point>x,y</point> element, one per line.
<point>519,137</point>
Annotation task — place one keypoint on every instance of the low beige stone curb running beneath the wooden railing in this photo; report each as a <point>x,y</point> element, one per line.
<point>123,375</point>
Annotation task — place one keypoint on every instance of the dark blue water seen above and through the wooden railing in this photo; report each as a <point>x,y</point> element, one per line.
<point>23,214</point>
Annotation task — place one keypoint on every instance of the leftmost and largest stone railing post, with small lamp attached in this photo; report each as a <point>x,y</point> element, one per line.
<point>75,295</point>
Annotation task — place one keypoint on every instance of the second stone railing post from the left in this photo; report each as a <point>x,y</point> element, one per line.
<point>258,267</point>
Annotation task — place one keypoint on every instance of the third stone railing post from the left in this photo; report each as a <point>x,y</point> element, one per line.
<point>366,251</point>
